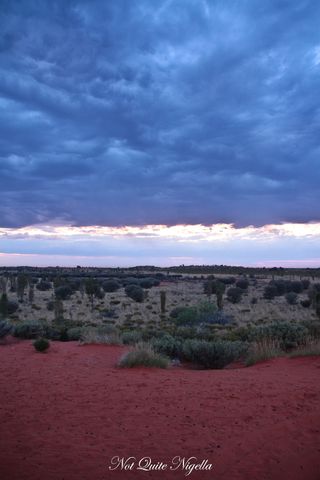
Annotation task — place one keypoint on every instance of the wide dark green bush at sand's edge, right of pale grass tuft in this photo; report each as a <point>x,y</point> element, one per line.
<point>215,354</point>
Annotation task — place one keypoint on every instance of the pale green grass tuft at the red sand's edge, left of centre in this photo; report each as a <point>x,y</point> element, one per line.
<point>143,355</point>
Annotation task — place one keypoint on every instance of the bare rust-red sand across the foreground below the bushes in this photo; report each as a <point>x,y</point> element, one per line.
<point>66,413</point>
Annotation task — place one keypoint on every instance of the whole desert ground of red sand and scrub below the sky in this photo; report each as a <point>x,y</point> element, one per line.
<point>237,386</point>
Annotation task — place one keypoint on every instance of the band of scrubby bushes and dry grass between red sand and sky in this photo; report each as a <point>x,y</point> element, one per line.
<point>194,315</point>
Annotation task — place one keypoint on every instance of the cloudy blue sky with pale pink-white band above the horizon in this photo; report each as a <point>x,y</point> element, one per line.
<point>160,132</point>
